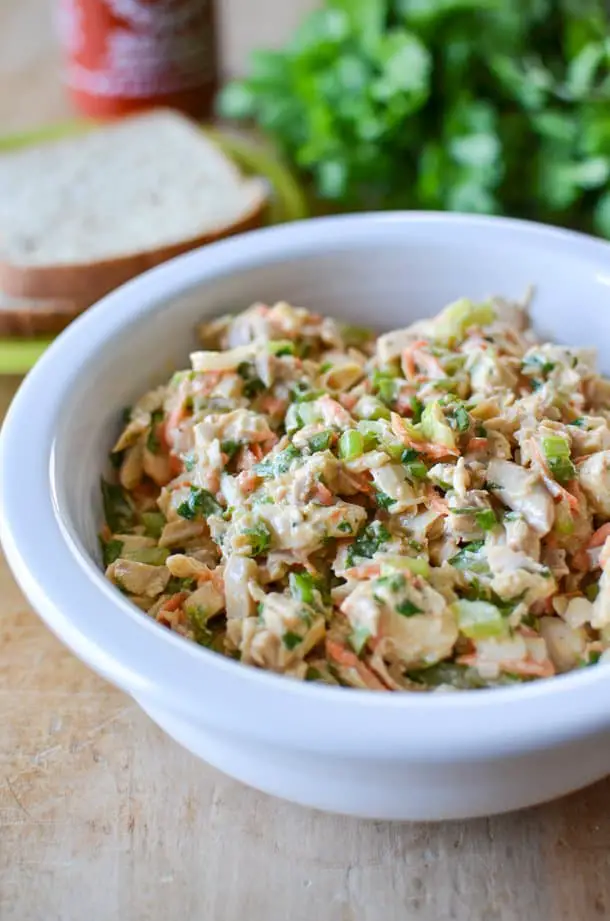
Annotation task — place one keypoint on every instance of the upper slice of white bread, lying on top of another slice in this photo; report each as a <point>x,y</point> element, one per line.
<point>82,215</point>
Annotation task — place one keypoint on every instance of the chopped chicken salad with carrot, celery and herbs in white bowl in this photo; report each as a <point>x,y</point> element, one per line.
<point>426,510</point>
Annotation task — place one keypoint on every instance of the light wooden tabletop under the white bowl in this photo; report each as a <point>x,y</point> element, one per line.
<point>103,818</point>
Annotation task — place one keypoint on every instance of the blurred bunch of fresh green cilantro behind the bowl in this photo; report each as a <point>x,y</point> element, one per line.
<point>489,106</point>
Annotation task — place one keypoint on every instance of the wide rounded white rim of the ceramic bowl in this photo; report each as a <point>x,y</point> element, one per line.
<point>153,664</point>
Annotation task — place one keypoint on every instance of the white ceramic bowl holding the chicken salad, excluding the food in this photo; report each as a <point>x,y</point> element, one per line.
<point>394,756</point>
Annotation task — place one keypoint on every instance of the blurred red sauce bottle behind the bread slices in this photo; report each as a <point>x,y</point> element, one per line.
<point>125,55</point>
